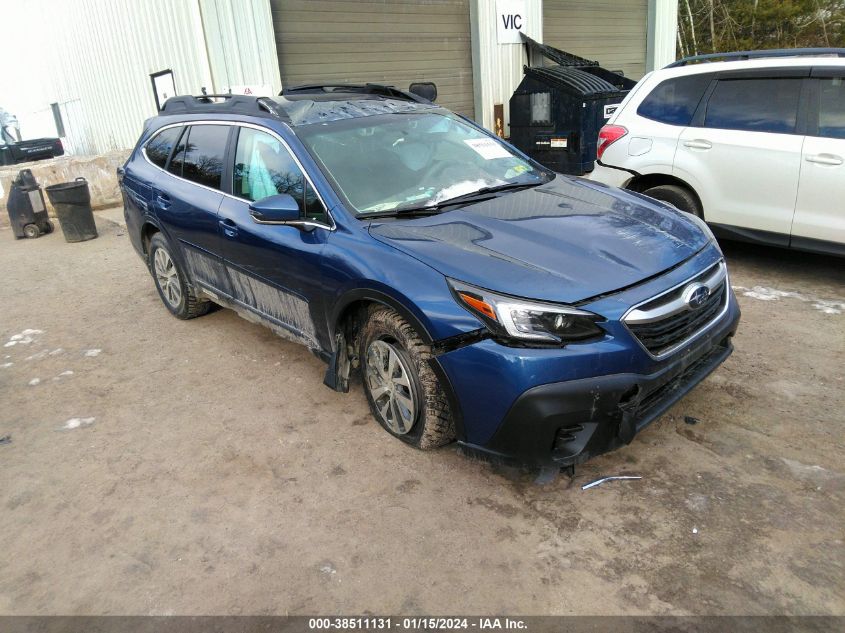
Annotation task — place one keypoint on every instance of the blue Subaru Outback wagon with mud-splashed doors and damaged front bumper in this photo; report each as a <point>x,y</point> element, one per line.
<point>535,318</point>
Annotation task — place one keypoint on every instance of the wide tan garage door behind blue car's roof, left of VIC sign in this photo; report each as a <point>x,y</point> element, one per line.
<point>394,42</point>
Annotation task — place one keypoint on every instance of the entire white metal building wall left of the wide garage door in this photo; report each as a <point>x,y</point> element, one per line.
<point>101,53</point>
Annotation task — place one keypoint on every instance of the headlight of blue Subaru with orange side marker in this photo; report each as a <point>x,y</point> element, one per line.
<point>524,320</point>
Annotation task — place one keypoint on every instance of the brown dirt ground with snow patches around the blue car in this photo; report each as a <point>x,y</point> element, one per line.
<point>201,467</point>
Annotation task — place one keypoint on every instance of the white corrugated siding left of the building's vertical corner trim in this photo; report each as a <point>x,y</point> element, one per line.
<point>102,54</point>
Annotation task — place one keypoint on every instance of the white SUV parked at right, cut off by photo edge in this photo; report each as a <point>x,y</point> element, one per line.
<point>754,146</point>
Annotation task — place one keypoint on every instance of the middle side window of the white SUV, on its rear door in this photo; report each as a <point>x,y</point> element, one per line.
<point>754,105</point>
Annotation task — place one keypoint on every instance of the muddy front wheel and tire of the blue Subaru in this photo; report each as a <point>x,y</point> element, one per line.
<point>404,394</point>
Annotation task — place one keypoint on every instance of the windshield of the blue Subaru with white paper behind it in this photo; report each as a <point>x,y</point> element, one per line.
<point>412,160</point>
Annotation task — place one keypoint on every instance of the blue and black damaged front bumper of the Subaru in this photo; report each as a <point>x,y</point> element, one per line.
<point>506,418</point>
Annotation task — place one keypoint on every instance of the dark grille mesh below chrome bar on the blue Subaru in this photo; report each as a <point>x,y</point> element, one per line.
<point>662,335</point>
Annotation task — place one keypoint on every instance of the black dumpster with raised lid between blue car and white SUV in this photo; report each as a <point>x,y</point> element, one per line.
<point>557,111</point>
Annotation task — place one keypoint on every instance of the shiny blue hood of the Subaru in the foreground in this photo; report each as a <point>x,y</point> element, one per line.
<point>565,241</point>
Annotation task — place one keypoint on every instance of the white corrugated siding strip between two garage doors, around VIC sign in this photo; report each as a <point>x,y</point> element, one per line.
<point>499,65</point>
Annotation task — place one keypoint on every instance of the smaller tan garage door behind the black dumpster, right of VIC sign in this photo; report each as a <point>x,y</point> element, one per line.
<point>613,32</point>
